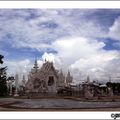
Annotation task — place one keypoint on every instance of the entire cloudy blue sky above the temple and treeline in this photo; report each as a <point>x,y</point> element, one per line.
<point>85,41</point>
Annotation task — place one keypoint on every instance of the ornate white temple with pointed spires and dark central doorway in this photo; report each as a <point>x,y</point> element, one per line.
<point>46,79</point>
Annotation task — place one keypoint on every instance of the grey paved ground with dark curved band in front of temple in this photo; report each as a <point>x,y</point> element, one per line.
<point>54,104</point>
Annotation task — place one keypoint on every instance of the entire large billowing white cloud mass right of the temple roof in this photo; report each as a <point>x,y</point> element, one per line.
<point>85,56</point>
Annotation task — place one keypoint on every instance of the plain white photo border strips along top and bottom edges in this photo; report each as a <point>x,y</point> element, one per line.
<point>60,5</point>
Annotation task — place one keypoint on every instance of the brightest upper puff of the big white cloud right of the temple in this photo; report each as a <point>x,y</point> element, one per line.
<point>73,48</point>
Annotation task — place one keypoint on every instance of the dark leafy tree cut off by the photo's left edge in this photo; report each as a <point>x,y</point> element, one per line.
<point>3,78</point>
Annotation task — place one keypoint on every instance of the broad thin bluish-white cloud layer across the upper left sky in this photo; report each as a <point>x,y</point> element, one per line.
<point>35,28</point>
